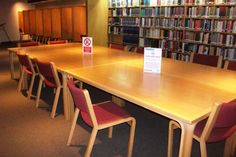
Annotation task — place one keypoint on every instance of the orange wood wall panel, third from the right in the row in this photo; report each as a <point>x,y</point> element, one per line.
<point>56,22</point>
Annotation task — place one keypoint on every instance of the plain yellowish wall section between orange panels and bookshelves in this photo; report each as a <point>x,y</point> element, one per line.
<point>97,21</point>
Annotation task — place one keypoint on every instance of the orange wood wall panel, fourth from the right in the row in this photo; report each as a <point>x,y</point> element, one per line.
<point>47,22</point>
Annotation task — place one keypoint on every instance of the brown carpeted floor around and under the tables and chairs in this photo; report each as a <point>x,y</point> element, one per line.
<point>29,132</point>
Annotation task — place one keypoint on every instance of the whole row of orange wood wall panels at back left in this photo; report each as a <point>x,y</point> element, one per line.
<point>66,22</point>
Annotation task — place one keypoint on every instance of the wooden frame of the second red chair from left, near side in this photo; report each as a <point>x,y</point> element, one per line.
<point>57,93</point>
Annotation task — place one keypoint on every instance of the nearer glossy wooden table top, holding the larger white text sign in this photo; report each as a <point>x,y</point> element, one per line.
<point>182,91</point>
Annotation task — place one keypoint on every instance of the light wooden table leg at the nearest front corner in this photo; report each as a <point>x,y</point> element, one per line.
<point>186,139</point>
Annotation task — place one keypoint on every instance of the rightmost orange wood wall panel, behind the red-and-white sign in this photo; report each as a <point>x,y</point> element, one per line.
<point>79,22</point>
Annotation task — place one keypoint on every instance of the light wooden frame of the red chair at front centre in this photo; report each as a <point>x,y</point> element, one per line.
<point>130,120</point>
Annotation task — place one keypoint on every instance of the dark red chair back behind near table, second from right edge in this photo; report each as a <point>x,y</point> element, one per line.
<point>205,59</point>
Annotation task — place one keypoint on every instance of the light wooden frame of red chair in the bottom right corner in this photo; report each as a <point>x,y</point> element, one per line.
<point>230,142</point>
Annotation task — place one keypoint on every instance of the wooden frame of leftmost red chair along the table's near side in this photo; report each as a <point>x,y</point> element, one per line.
<point>22,76</point>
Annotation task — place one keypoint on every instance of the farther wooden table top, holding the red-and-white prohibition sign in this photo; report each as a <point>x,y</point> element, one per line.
<point>69,56</point>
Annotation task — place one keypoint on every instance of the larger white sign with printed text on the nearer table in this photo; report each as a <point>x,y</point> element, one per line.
<point>152,60</point>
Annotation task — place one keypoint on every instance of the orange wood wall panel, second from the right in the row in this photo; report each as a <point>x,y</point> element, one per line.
<point>66,23</point>
